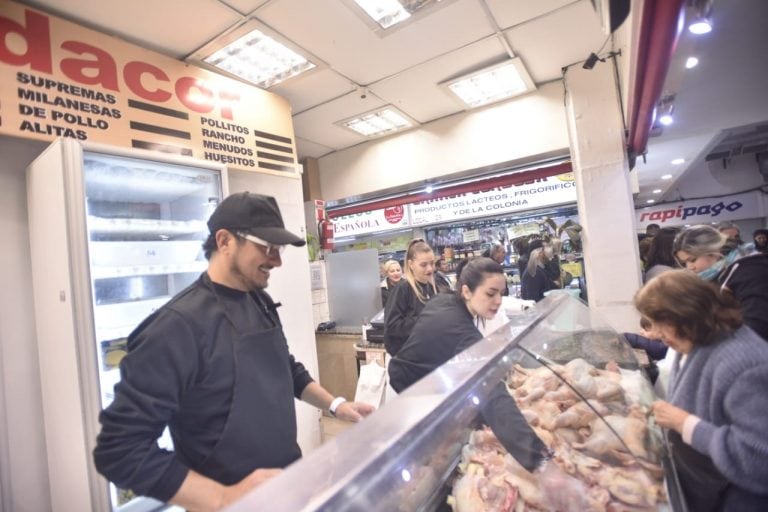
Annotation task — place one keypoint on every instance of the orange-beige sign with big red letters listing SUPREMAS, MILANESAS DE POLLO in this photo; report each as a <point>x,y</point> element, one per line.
<point>58,79</point>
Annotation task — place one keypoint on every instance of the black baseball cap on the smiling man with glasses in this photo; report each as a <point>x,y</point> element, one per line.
<point>255,214</point>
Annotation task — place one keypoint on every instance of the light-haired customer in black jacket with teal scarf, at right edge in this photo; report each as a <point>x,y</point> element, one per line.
<point>737,269</point>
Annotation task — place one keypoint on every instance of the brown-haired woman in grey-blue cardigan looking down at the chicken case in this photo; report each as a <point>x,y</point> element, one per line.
<point>715,414</point>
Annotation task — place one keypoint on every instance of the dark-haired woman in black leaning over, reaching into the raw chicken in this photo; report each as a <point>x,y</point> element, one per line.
<point>447,326</point>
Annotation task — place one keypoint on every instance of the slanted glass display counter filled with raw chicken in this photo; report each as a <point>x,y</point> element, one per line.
<point>576,381</point>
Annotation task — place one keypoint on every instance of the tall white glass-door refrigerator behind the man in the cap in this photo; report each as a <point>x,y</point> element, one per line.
<point>114,234</point>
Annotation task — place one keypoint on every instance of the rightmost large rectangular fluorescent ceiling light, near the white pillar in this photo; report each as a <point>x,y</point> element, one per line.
<point>495,83</point>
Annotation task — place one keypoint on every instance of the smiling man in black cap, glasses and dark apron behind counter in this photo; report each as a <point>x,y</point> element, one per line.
<point>213,366</point>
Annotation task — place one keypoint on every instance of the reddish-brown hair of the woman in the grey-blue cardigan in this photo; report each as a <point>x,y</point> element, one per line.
<point>693,307</point>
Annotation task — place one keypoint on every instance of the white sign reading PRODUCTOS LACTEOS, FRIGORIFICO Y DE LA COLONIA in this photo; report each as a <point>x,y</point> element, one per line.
<point>539,193</point>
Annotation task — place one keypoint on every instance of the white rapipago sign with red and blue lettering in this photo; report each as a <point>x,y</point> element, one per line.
<point>703,211</point>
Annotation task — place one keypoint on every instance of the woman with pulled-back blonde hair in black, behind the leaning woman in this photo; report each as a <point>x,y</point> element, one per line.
<point>407,298</point>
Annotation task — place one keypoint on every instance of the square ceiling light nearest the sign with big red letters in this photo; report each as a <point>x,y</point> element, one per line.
<point>259,59</point>
